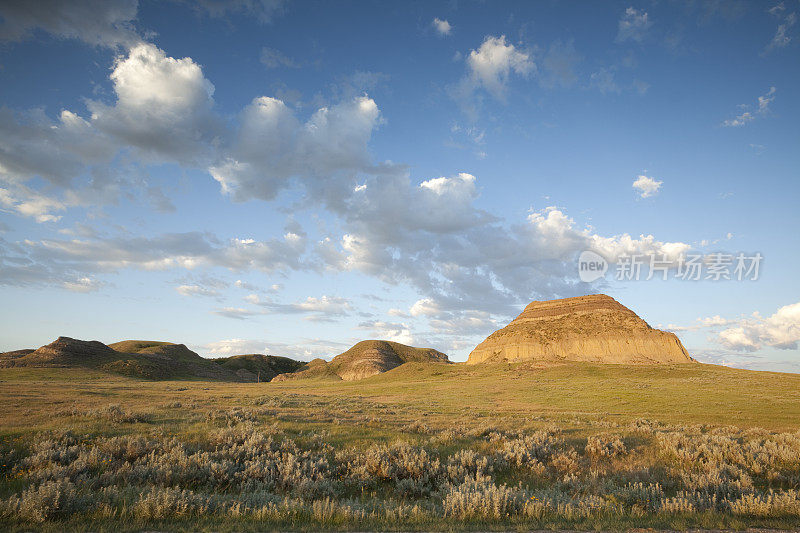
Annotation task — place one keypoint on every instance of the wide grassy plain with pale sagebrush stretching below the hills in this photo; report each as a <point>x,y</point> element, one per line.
<point>424,446</point>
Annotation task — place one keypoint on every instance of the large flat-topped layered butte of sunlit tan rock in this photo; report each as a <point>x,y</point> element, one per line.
<point>593,328</point>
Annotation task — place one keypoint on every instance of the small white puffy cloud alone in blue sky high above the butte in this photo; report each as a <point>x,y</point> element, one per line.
<point>493,62</point>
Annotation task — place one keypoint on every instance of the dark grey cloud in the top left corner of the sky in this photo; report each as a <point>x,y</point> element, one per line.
<point>96,22</point>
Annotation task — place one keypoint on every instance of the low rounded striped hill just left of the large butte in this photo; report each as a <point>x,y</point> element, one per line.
<point>365,359</point>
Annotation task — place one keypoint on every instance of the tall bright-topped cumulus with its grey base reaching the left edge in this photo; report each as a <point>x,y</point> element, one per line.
<point>163,112</point>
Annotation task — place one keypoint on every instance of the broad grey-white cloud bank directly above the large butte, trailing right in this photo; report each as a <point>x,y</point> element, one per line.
<point>461,257</point>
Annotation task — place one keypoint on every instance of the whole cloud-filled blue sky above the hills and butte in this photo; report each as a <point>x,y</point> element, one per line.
<point>292,177</point>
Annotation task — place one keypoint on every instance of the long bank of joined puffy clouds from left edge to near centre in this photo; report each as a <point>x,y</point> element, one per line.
<point>164,111</point>
